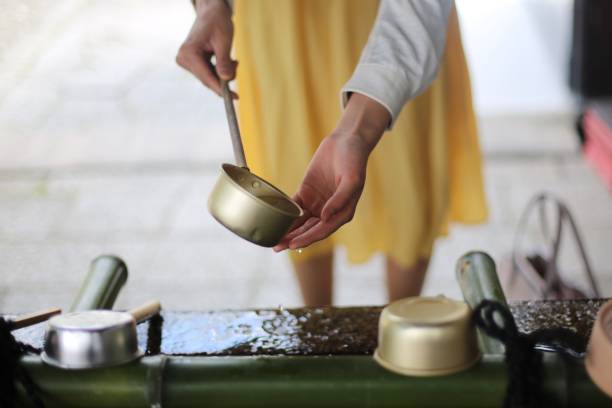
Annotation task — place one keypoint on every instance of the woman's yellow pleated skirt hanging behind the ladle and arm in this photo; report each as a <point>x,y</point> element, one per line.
<point>294,57</point>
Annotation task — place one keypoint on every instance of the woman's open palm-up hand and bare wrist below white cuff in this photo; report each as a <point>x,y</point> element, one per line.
<point>336,175</point>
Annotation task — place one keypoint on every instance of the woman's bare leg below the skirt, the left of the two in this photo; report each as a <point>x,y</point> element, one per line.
<point>315,277</point>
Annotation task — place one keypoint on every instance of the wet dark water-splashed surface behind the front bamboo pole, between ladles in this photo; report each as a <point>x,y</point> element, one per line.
<point>304,331</point>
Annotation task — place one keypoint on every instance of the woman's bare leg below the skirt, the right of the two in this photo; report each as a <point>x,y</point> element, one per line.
<point>405,281</point>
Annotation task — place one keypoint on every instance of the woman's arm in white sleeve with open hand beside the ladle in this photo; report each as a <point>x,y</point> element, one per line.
<point>400,60</point>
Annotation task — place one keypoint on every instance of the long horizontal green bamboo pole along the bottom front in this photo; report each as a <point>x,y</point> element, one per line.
<point>283,381</point>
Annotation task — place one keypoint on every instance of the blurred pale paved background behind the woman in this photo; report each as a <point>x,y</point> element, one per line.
<point>106,146</point>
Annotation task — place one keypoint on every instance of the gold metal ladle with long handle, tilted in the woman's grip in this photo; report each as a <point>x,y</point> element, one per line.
<point>244,203</point>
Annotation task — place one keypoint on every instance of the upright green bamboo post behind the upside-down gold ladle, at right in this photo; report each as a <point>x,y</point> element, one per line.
<point>477,278</point>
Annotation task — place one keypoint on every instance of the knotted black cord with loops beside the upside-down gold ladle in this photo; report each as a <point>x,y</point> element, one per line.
<point>524,362</point>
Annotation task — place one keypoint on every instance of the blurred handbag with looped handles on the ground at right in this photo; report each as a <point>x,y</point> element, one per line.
<point>534,275</point>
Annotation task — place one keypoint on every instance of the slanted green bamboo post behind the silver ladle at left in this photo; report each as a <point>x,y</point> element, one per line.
<point>107,275</point>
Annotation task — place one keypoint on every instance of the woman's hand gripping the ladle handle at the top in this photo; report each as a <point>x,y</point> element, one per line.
<point>211,35</point>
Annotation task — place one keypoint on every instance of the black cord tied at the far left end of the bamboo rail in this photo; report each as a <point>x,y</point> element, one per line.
<point>12,372</point>
